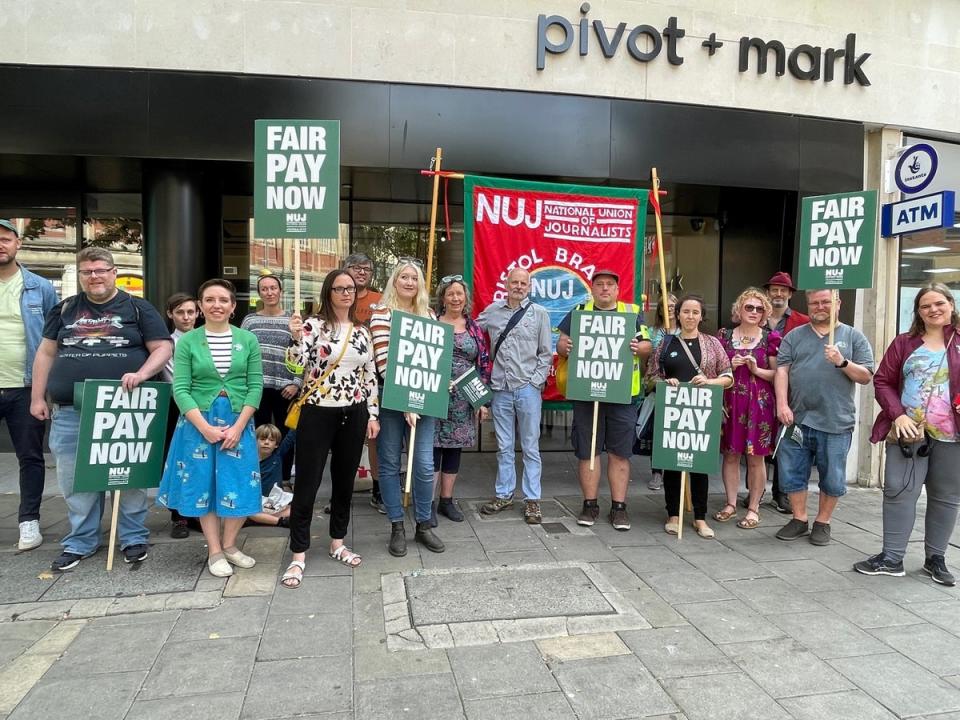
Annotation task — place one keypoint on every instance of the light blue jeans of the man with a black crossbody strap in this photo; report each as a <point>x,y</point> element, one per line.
<point>520,408</point>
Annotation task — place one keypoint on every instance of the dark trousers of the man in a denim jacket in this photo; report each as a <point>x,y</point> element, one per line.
<point>26,433</point>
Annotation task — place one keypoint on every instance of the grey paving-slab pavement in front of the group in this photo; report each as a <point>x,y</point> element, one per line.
<point>512,621</point>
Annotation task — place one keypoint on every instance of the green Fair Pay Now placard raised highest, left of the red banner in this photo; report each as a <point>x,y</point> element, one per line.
<point>296,179</point>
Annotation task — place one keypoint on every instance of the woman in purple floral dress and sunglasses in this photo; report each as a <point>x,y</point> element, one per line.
<point>750,423</point>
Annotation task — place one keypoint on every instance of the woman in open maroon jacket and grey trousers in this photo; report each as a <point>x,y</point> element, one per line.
<point>918,389</point>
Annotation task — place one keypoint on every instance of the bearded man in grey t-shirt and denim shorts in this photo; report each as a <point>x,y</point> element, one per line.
<point>814,387</point>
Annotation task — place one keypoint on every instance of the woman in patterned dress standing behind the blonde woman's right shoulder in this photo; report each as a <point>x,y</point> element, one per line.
<point>459,429</point>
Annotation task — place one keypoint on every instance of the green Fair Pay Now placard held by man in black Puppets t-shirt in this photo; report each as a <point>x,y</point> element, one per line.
<point>121,435</point>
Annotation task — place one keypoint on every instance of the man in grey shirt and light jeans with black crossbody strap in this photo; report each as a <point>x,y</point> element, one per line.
<point>522,354</point>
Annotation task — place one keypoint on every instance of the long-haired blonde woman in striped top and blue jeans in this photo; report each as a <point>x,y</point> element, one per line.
<point>406,291</point>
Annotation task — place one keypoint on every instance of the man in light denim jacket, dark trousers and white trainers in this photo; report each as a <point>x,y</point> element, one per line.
<point>25,299</point>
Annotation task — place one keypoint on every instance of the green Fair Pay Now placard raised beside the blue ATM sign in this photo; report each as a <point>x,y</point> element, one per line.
<point>837,238</point>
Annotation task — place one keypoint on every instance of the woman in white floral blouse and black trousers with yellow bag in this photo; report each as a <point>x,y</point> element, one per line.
<point>339,413</point>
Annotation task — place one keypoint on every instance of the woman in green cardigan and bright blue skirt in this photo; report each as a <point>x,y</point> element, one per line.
<point>213,469</point>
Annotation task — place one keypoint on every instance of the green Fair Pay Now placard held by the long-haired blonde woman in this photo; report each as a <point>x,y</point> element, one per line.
<point>419,361</point>
